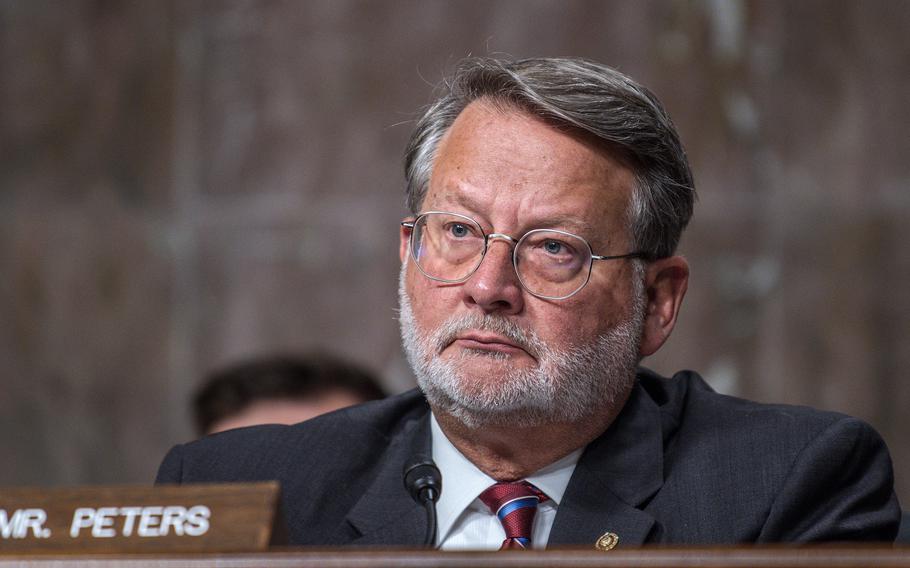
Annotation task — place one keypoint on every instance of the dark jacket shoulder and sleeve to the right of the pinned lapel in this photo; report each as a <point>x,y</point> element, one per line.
<point>774,472</point>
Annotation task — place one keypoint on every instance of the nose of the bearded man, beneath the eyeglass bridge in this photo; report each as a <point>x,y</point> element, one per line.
<point>494,286</point>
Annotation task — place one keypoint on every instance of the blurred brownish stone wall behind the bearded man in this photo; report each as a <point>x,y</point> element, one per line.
<point>184,183</point>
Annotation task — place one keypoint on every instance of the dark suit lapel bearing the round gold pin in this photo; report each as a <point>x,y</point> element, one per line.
<point>616,474</point>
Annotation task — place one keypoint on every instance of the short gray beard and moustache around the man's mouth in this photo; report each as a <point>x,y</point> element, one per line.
<point>568,385</point>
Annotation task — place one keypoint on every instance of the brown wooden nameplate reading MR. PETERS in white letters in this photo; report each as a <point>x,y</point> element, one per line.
<point>164,518</point>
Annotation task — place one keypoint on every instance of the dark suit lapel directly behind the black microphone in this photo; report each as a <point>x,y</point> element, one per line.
<point>386,514</point>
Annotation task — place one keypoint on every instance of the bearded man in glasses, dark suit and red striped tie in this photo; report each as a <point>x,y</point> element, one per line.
<point>538,268</point>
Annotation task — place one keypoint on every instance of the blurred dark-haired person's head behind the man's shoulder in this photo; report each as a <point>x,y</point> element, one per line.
<point>280,389</point>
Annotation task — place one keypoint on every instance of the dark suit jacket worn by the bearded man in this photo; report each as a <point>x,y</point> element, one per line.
<point>681,464</point>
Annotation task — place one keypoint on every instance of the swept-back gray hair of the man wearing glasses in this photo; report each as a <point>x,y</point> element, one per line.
<point>587,97</point>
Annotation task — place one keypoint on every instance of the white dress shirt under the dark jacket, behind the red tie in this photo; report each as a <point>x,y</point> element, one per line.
<point>464,522</point>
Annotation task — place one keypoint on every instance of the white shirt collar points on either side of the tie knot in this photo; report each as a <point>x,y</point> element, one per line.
<point>456,496</point>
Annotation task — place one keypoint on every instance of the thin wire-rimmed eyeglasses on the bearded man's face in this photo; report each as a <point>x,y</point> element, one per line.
<point>550,264</point>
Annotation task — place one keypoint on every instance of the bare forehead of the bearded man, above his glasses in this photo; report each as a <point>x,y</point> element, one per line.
<point>493,155</point>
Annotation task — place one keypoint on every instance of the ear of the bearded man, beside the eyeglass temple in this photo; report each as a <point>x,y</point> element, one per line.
<point>666,281</point>
